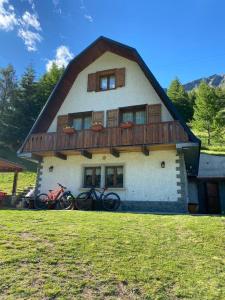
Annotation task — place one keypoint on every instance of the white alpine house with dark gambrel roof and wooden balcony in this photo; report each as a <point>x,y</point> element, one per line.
<point>109,123</point>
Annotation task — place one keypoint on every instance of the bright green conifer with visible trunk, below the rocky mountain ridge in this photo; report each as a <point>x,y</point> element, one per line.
<point>205,110</point>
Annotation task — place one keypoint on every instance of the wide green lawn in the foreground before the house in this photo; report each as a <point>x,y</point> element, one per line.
<point>98,255</point>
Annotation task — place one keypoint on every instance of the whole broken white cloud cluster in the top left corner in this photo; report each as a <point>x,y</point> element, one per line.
<point>28,26</point>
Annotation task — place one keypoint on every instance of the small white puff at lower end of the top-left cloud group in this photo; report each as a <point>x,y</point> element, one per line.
<point>30,38</point>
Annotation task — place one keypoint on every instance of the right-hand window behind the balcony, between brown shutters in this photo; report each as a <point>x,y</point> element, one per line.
<point>136,115</point>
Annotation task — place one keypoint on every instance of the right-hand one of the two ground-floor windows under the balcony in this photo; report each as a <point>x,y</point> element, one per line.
<point>114,176</point>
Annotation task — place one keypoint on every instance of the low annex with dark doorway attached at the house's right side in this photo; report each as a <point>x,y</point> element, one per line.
<point>207,190</point>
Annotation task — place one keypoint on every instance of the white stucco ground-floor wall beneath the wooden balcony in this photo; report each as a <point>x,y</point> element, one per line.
<point>144,179</point>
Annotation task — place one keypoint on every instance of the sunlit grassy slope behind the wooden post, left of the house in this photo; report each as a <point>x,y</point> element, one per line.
<point>25,179</point>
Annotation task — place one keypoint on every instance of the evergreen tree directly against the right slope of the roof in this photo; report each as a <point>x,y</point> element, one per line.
<point>179,96</point>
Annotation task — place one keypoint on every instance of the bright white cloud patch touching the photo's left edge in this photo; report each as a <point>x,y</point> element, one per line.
<point>8,18</point>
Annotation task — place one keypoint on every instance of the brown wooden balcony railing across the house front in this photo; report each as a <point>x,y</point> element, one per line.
<point>149,134</point>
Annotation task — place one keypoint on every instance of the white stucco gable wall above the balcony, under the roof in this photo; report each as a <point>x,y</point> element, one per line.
<point>137,90</point>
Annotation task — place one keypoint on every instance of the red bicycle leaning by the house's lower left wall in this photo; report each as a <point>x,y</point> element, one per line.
<point>58,198</point>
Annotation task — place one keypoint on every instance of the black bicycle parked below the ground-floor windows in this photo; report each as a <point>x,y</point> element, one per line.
<point>110,201</point>
